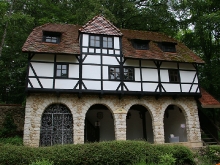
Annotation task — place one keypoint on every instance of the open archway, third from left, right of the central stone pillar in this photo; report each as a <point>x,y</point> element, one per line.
<point>139,124</point>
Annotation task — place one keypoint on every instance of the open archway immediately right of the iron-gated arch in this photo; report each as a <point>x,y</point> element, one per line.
<point>99,124</point>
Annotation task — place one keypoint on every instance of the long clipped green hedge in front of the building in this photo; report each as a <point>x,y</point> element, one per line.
<point>115,152</point>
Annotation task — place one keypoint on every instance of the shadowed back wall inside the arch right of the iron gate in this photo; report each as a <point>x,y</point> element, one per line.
<point>106,124</point>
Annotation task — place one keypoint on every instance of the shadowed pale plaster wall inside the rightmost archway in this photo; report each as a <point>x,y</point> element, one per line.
<point>172,125</point>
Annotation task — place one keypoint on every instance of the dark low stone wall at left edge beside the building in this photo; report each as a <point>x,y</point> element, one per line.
<point>17,111</point>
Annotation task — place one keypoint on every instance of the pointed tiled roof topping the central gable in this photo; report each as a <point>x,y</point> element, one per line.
<point>100,25</point>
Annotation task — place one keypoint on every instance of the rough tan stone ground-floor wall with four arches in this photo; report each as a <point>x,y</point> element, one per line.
<point>36,104</point>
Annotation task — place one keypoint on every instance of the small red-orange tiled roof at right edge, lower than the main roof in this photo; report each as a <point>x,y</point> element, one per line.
<point>208,101</point>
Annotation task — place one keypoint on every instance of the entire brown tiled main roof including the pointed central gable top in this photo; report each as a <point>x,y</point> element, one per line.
<point>99,25</point>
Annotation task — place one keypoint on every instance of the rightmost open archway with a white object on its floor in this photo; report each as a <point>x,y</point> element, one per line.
<point>174,125</point>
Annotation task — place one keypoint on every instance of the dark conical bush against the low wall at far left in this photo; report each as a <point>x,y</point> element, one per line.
<point>8,127</point>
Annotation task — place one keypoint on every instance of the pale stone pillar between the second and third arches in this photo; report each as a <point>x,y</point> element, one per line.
<point>120,124</point>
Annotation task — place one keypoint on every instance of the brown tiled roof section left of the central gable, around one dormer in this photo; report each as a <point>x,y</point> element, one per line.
<point>69,39</point>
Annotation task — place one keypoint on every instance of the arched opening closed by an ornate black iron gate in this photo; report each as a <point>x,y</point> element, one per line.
<point>56,126</point>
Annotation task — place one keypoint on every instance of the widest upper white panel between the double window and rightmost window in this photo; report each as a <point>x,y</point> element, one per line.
<point>149,74</point>
